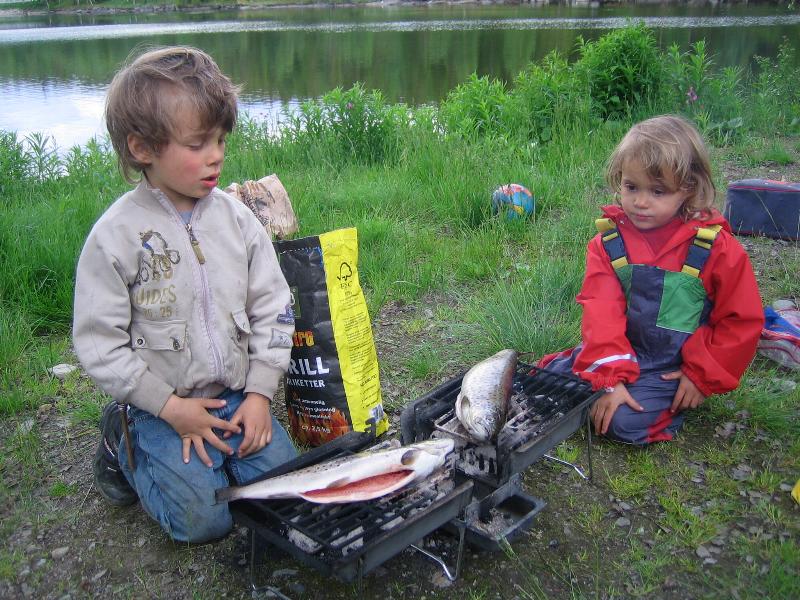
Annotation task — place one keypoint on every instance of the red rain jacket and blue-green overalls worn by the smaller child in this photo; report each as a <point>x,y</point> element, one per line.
<point>691,305</point>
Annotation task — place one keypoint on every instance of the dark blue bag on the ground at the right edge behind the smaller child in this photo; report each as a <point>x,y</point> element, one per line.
<point>764,207</point>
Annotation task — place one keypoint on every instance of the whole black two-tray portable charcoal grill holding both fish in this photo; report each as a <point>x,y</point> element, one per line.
<point>479,483</point>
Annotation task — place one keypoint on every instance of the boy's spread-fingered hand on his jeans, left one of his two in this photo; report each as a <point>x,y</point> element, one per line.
<point>190,418</point>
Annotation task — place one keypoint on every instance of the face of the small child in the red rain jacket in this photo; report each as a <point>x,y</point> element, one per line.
<point>648,202</point>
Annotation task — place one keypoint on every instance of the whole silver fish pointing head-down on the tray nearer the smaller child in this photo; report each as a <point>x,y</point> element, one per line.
<point>482,403</point>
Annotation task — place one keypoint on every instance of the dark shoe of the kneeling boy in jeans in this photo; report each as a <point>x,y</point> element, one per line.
<point>108,477</point>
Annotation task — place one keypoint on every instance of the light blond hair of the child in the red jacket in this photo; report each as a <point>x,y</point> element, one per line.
<point>671,151</point>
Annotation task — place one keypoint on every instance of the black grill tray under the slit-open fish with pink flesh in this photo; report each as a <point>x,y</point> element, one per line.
<point>349,540</point>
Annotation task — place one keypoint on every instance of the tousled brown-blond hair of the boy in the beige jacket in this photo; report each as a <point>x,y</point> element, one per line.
<point>147,93</point>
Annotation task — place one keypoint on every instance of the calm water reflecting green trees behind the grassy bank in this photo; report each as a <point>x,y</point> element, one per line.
<point>54,70</point>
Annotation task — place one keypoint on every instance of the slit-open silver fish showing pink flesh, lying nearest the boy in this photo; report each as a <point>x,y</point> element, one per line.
<point>363,476</point>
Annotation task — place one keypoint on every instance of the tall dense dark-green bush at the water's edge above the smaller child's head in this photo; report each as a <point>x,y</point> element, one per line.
<point>623,69</point>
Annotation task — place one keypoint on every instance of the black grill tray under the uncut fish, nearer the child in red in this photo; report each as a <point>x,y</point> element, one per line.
<point>551,408</point>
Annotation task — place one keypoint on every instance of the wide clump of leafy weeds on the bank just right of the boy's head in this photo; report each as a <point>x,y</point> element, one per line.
<point>352,125</point>
